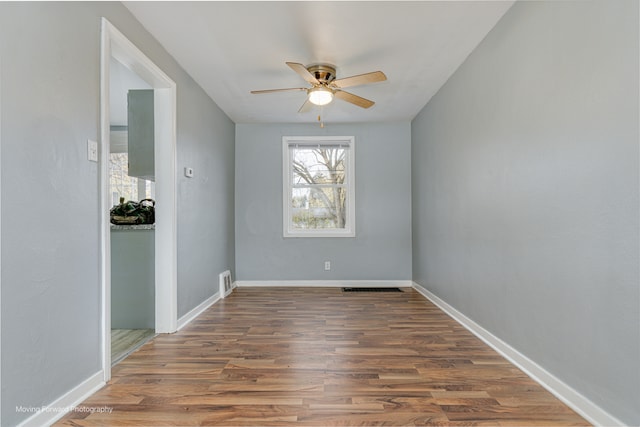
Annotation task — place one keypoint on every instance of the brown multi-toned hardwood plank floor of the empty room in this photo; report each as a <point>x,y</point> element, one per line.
<point>318,356</point>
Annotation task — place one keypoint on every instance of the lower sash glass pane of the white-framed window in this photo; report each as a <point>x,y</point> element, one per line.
<point>318,208</point>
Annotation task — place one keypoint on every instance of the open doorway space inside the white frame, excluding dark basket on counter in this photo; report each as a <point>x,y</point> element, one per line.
<point>131,179</point>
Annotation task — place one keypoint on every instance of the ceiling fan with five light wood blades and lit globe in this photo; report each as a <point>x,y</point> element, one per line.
<point>325,86</point>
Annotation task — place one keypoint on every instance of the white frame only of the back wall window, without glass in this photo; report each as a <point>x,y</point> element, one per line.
<point>287,177</point>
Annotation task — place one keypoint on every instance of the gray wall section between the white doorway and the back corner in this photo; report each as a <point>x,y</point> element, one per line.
<point>206,241</point>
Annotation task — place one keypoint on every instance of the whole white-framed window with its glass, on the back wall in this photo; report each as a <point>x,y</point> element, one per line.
<point>318,186</point>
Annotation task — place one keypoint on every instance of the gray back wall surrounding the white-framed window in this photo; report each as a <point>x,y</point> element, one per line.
<point>381,249</point>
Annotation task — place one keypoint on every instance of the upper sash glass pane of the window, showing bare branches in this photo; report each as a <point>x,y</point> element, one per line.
<point>318,165</point>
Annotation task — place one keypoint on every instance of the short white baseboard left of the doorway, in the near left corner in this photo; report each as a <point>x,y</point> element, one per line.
<point>48,414</point>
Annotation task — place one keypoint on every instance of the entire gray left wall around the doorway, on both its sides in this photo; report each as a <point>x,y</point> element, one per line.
<point>50,220</point>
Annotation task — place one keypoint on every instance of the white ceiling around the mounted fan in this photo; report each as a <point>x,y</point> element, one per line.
<point>231,48</point>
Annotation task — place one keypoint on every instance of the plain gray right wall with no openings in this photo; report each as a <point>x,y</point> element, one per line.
<point>525,193</point>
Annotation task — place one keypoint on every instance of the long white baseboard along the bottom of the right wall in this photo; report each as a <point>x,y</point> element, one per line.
<point>576,401</point>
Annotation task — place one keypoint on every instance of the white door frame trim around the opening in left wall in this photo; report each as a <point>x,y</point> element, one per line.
<point>115,45</point>
